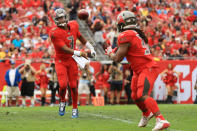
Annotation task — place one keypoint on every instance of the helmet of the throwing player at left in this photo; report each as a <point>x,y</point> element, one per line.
<point>61,13</point>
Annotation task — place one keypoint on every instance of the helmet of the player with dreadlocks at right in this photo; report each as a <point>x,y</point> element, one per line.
<point>125,20</point>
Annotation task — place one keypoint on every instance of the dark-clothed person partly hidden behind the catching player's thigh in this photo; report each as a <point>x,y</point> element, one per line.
<point>127,84</point>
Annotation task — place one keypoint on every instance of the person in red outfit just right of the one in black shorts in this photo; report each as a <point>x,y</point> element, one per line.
<point>42,80</point>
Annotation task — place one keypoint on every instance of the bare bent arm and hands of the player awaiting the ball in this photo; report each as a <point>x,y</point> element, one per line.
<point>120,54</point>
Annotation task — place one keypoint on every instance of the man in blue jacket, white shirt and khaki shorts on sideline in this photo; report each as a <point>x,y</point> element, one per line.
<point>13,77</point>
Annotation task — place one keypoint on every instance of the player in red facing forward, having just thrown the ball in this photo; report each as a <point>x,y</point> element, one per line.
<point>64,37</point>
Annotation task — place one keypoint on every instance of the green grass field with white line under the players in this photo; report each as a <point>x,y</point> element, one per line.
<point>107,118</point>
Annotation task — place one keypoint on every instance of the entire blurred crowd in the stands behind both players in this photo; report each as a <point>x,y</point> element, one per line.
<point>170,25</point>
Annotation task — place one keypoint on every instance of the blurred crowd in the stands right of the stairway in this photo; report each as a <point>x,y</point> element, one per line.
<point>170,25</point>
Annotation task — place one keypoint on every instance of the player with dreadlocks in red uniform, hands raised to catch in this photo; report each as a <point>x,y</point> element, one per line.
<point>132,43</point>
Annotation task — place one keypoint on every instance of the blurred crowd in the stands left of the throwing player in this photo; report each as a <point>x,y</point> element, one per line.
<point>24,27</point>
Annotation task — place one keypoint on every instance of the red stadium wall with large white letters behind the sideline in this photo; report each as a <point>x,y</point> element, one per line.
<point>185,83</point>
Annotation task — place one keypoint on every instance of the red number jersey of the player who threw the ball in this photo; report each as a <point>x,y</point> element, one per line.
<point>61,37</point>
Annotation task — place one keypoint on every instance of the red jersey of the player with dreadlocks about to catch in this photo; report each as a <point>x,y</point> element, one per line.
<point>138,53</point>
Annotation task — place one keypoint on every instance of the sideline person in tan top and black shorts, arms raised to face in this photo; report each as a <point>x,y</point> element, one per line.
<point>28,82</point>
